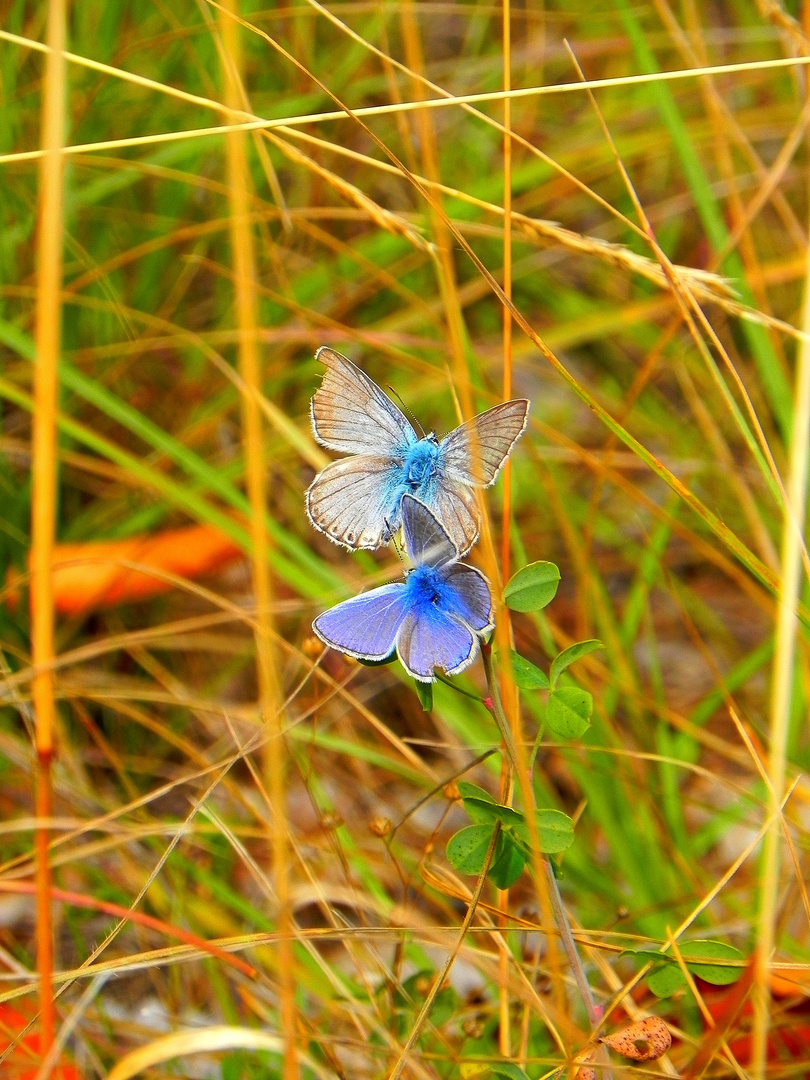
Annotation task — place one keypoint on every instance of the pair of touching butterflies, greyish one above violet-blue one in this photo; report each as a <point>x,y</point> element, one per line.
<point>395,478</point>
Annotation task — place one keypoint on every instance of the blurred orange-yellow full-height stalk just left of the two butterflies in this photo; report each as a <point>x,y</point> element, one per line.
<point>247,298</point>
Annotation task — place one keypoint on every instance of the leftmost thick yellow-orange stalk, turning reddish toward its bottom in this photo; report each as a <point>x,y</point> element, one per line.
<point>44,499</point>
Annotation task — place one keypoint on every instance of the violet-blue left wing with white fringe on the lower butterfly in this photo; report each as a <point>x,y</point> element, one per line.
<point>366,627</point>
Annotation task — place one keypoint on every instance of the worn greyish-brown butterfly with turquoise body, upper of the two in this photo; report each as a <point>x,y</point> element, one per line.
<point>357,501</point>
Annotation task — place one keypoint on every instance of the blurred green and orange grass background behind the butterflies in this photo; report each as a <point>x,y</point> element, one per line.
<point>161,773</point>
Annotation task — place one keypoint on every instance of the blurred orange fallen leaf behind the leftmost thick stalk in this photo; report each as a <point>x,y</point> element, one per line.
<point>89,576</point>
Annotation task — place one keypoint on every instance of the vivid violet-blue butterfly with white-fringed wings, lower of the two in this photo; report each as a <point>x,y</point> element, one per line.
<point>433,619</point>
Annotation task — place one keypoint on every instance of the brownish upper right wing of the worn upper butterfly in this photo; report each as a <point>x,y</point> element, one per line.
<point>476,452</point>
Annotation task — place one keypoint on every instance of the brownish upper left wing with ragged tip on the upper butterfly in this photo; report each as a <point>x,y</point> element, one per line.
<point>352,415</point>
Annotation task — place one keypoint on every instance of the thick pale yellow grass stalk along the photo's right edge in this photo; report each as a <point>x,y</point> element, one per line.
<point>793,531</point>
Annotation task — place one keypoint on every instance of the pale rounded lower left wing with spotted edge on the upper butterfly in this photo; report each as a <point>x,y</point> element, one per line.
<point>356,502</point>
